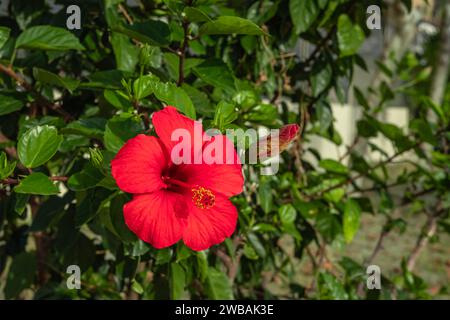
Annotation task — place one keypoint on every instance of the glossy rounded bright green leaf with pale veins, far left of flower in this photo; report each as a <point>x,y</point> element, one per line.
<point>38,145</point>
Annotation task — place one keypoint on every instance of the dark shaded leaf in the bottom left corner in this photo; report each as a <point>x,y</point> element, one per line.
<point>21,274</point>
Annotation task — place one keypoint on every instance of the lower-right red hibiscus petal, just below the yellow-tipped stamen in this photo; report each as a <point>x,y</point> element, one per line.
<point>207,227</point>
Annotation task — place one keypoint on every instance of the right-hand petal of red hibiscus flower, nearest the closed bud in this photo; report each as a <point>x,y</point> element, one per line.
<point>221,177</point>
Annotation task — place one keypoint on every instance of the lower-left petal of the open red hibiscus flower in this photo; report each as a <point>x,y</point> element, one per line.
<point>156,218</point>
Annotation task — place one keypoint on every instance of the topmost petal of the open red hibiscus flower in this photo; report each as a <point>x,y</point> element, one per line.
<point>168,120</point>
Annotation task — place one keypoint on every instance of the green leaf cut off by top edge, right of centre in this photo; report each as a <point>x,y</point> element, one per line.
<point>303,14</point>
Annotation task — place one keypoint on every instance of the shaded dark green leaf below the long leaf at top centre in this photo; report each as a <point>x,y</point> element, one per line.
<point>217,74</point>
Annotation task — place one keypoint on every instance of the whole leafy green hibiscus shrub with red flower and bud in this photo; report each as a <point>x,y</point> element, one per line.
<point>87,183</point>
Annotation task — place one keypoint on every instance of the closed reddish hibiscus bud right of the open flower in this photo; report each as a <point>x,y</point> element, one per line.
<point>278,141</point>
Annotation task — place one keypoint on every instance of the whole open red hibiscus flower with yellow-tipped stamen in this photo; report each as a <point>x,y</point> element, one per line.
<point>178,201</point>
